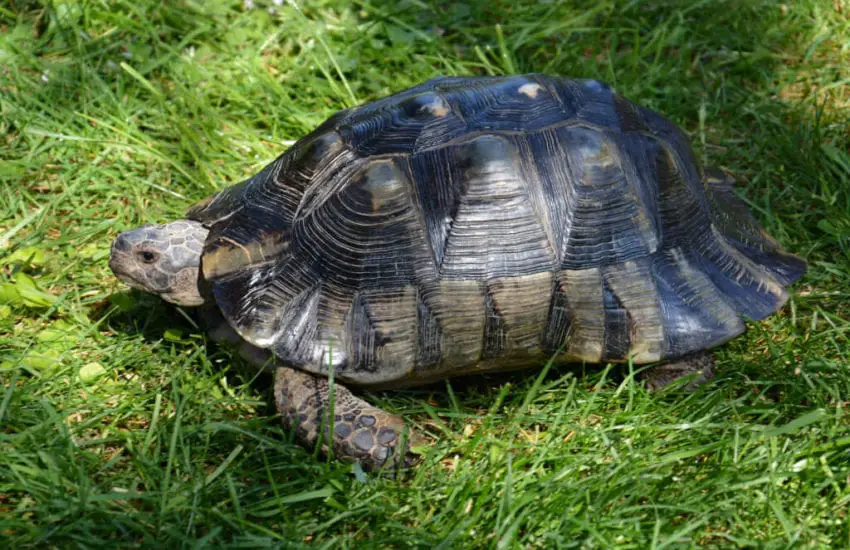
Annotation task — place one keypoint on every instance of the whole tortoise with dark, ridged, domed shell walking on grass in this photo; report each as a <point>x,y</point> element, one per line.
<point>460,226</point>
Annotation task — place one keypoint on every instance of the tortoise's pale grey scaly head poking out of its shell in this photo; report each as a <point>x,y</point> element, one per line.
<point>162,259</point>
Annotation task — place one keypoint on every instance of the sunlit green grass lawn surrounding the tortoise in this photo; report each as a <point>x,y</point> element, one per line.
<point>119,427</point>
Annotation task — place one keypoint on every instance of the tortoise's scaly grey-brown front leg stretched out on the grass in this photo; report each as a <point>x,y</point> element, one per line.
<point>360,432</point>
